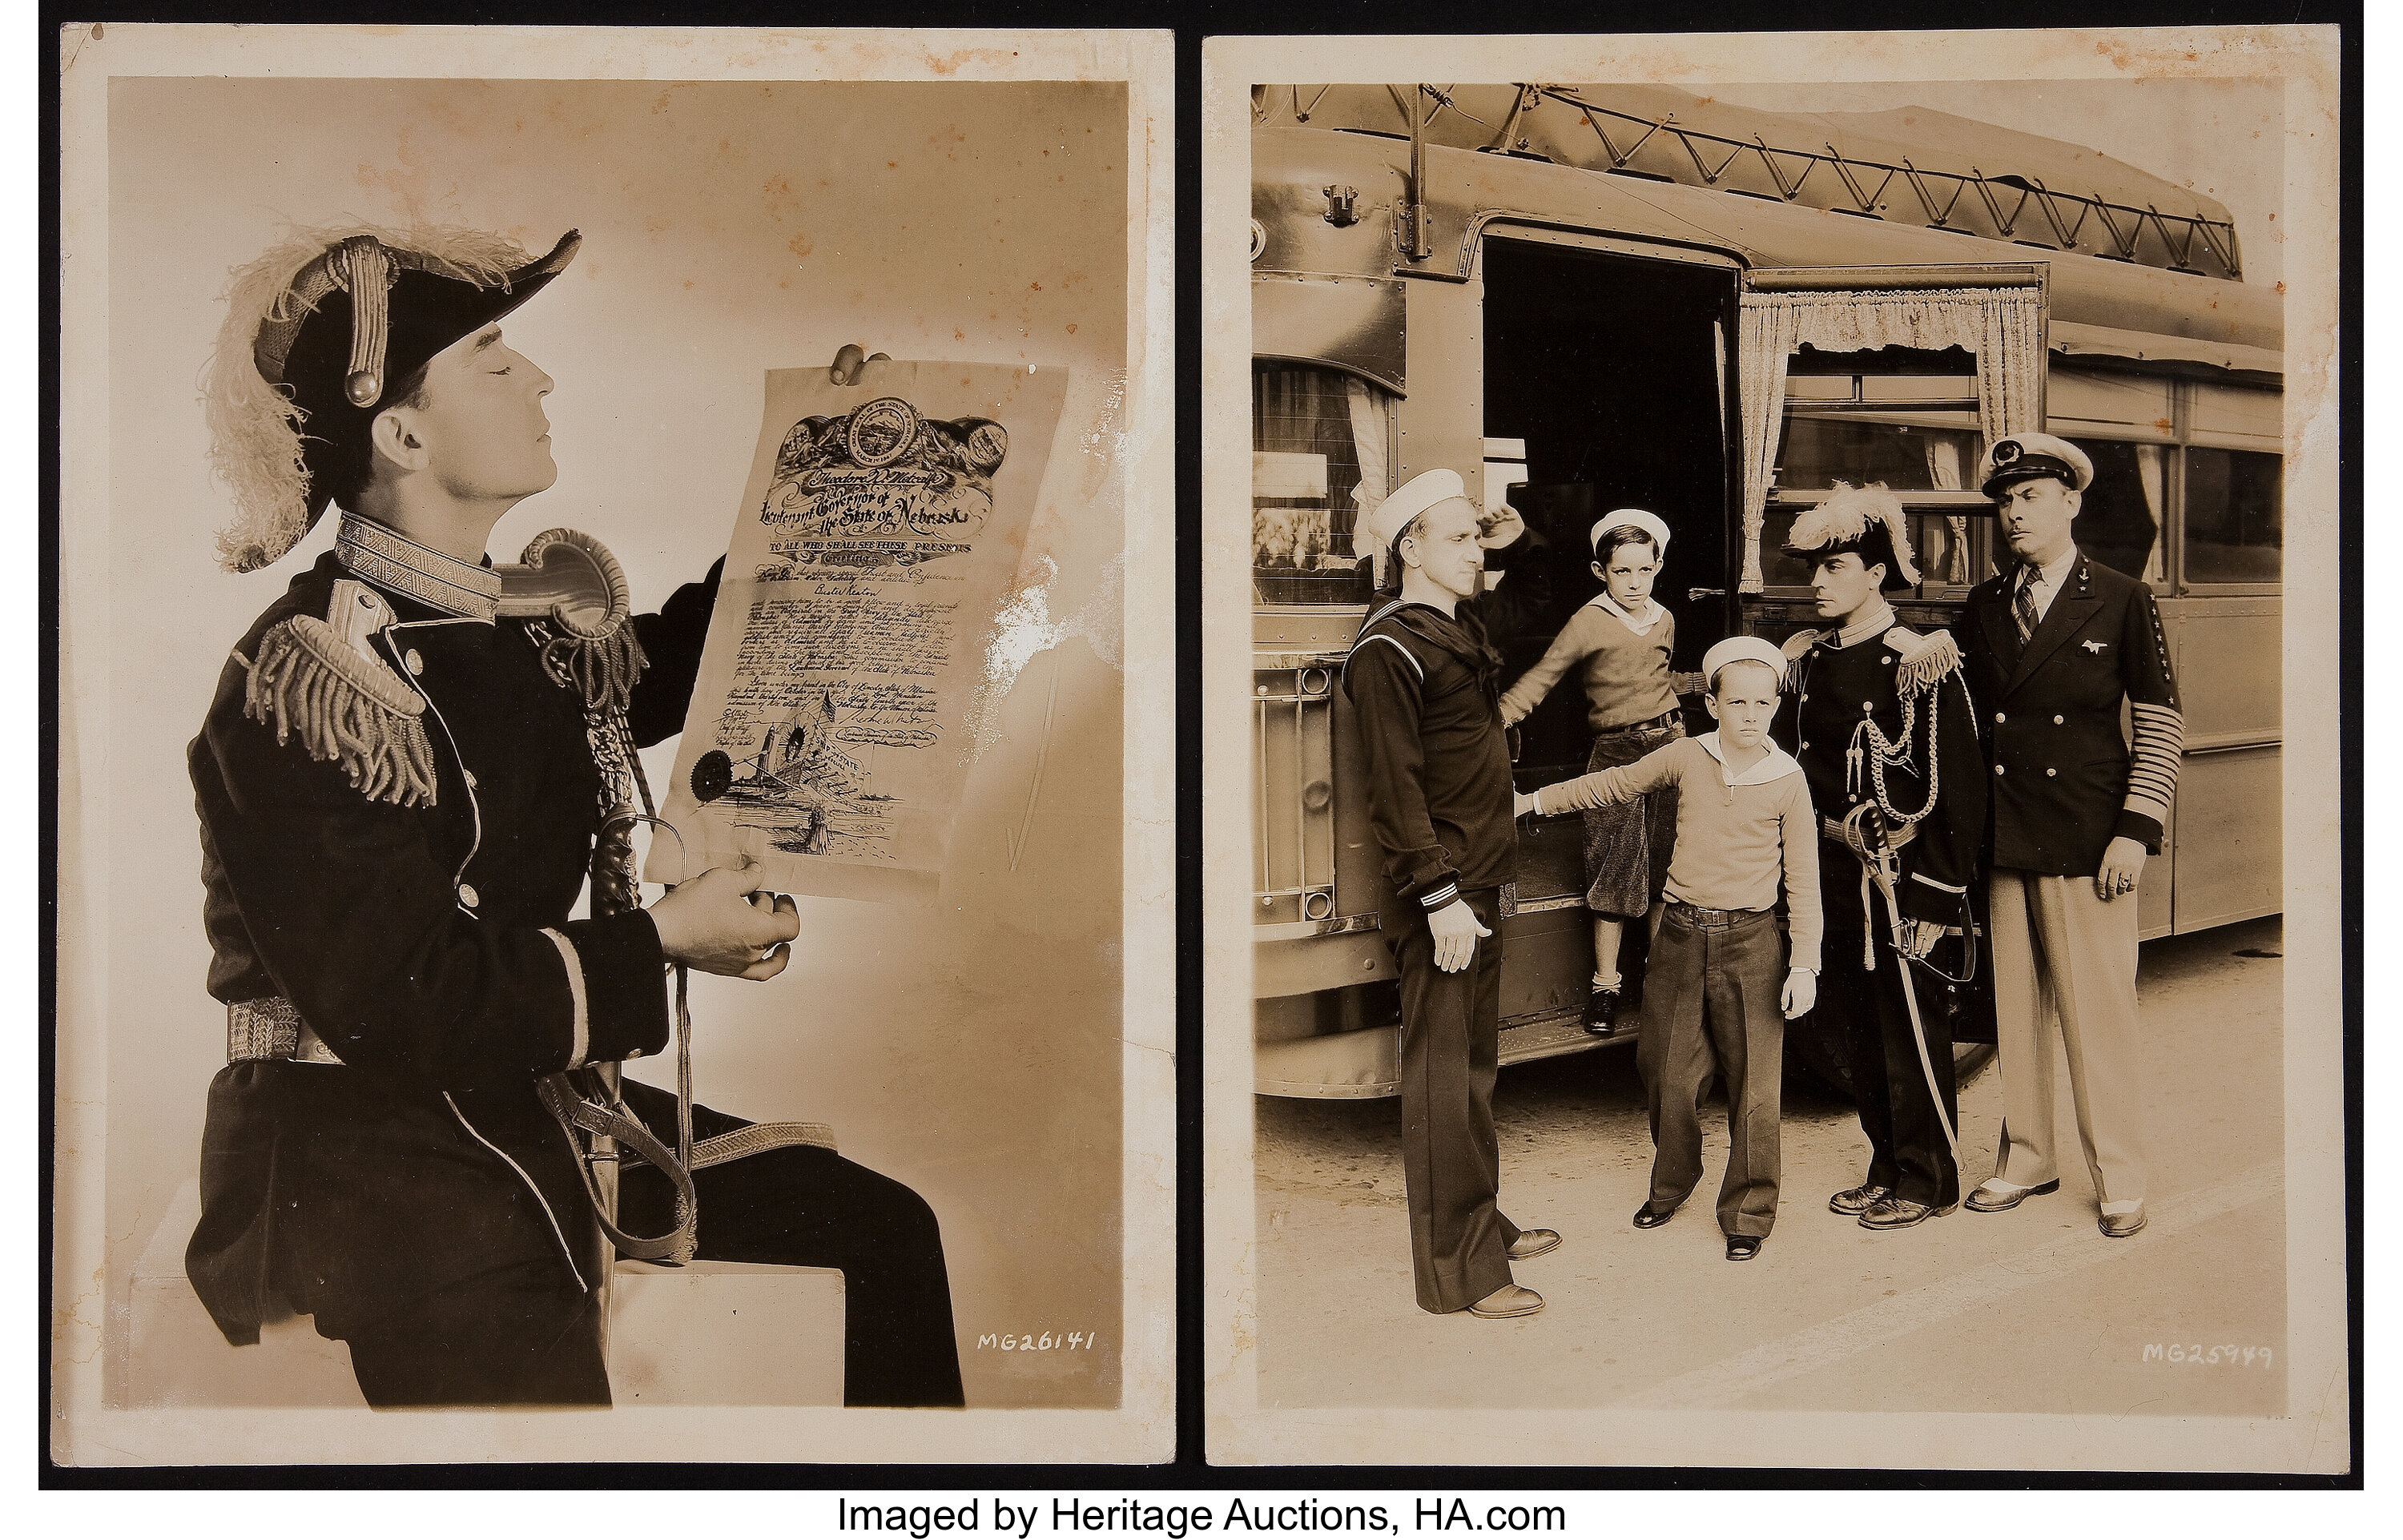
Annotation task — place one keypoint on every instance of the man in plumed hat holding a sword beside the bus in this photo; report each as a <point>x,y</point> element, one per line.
<point>1880,720</point>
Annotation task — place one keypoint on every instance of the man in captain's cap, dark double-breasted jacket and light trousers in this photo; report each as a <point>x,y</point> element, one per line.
<point>2056,647</point>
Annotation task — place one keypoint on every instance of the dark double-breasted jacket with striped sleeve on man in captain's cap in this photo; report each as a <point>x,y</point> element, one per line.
<point>2065,777</point>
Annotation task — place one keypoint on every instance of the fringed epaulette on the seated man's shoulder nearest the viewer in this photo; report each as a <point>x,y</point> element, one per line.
<point>316,679</point>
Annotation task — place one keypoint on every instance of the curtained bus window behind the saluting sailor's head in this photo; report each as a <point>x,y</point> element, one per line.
<point>1320,453</point>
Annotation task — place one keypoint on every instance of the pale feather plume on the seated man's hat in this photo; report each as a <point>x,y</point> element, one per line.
<point>254,426</point>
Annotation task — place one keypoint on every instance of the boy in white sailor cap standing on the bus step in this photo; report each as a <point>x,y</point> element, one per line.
<point>1621,645</point>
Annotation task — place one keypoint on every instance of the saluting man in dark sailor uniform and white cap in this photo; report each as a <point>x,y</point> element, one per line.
<point>1424,681</point>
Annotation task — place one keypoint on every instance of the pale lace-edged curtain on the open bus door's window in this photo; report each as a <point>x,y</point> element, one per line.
<point>2003,328</point>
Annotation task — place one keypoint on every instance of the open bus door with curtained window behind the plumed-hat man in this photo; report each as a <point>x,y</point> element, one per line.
<point>1897,376</point>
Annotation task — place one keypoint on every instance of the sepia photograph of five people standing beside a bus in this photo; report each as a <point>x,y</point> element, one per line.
<point>1758,590</point>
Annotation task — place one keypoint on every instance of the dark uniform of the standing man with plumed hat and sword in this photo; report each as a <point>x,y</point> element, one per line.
<point>1847,696</point>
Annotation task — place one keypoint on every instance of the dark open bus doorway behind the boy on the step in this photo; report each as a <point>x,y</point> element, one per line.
<point>1582,374</point>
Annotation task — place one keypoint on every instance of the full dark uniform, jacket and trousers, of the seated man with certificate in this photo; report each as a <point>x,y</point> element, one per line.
<point>400,806</point>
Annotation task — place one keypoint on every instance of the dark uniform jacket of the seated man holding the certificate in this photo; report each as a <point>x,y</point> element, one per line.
<point>431,950</point>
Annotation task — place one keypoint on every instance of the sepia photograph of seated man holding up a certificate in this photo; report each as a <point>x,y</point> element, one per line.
<point>592,583</point>
